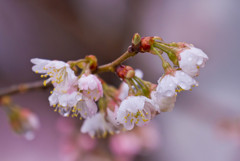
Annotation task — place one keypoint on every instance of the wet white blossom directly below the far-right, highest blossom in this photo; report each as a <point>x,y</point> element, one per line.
<point>175,81</point>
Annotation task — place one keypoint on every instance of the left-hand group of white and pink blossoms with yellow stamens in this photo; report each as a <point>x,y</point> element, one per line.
<point>71,94</point>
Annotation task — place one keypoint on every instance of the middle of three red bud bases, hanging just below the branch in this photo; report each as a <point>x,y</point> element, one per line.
<point>125,72</point>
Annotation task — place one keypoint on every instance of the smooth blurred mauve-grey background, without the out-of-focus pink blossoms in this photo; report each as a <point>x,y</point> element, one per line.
<point>203,124</point>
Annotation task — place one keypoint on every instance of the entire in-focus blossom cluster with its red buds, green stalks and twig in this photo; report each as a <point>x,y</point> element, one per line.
<point>106,109</point>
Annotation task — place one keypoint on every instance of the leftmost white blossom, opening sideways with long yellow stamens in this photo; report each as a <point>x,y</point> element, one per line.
<point>59,72</point>
